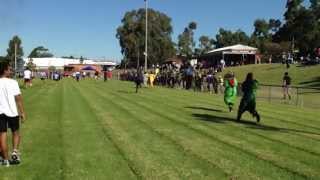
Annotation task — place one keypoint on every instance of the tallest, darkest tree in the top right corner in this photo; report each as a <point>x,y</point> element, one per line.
<point>301,27</point>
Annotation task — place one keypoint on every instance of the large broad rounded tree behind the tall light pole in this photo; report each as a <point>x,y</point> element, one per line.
<point>132,39</point>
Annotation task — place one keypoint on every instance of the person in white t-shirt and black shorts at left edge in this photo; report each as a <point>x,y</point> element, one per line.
<point>11,112</point>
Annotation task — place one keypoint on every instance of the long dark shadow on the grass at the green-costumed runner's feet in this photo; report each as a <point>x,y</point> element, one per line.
<point>249,124</point>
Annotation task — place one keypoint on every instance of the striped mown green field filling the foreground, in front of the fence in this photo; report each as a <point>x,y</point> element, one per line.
<point>97,130</point>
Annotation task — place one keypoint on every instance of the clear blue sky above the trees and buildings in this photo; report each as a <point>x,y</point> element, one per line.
<point>88,27</point>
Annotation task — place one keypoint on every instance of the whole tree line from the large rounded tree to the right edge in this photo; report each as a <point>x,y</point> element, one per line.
<point>300,31</point>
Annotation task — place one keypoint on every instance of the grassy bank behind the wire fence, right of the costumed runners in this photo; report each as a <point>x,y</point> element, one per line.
<point>303,77</point>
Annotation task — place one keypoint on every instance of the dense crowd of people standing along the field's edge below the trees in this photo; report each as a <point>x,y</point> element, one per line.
<point>184,77</point>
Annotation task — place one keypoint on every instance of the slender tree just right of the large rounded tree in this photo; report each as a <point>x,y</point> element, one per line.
<point>186,44</point>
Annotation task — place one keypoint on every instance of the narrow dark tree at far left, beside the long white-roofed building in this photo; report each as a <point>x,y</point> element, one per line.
<point>15,41</point>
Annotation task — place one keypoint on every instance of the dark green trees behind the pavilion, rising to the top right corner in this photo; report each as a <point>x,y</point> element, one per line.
<point>300,32</point>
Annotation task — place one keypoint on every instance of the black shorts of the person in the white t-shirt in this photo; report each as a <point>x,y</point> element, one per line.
<point>9,122</point>
